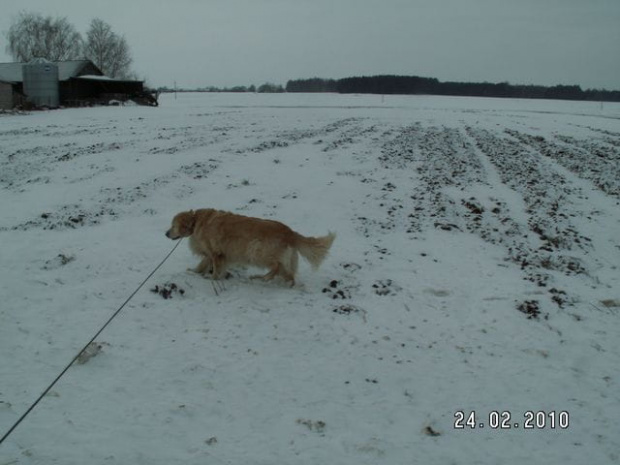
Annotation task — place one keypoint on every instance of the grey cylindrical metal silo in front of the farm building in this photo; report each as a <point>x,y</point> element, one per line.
<point>41,83</point>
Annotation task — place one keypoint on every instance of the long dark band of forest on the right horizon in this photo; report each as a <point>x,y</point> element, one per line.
<point>414,85</point>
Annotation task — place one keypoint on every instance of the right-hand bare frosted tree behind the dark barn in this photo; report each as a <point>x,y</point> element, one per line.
<point>109,51</point>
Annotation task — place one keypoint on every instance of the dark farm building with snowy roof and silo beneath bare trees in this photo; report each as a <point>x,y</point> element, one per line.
<point>41,83</point>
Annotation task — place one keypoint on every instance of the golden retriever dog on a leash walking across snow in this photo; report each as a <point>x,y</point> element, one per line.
<point>223,238</point>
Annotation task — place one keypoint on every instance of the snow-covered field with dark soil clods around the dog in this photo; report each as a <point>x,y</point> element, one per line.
<point>475,270</point>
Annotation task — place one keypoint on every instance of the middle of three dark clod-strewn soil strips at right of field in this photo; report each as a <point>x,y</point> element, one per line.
<point>553,241</point>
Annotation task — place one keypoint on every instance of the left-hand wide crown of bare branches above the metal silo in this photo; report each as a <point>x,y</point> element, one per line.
<point>33,35</point>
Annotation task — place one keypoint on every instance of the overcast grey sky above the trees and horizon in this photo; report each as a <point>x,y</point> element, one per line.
<point>243,42</point>
